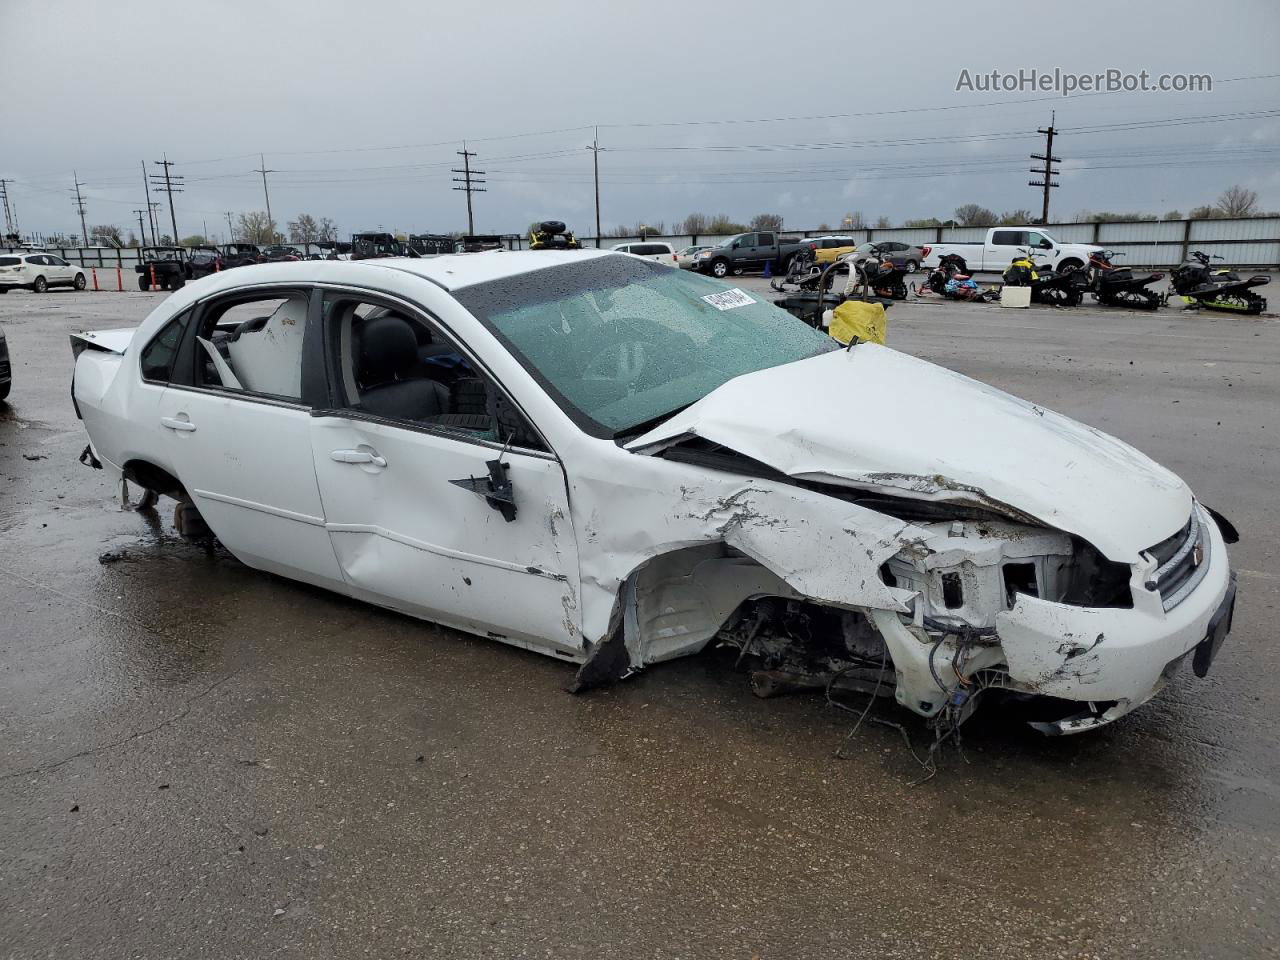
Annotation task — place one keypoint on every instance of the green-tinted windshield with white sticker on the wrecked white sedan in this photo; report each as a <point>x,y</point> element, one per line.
<point>621,344</point>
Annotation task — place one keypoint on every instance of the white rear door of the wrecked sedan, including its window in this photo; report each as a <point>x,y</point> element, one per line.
<point>237,426</point>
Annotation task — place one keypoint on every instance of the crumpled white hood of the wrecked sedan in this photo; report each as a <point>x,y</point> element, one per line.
<point>876,419</point>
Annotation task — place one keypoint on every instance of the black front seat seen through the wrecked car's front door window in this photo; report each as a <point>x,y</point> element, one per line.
<point>386,372</point>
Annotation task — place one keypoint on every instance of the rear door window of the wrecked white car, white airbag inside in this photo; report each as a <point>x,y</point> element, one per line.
<point>254,345</point>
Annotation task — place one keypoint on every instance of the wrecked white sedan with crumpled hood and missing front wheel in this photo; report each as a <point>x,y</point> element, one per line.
<point>618,464</point>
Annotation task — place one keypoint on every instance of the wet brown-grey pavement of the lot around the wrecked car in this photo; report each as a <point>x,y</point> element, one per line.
<point>202,761</point>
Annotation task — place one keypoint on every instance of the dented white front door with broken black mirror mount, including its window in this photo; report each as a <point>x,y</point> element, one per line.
<point>440,499</point>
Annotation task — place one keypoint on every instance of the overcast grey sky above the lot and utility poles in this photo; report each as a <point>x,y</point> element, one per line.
<point>359,107</point>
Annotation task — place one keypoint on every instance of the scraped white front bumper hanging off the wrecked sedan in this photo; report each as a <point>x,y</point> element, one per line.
<point>1119,657</point>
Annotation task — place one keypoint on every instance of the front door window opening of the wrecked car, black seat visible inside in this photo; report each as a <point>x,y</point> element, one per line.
<point>397,365</point>
